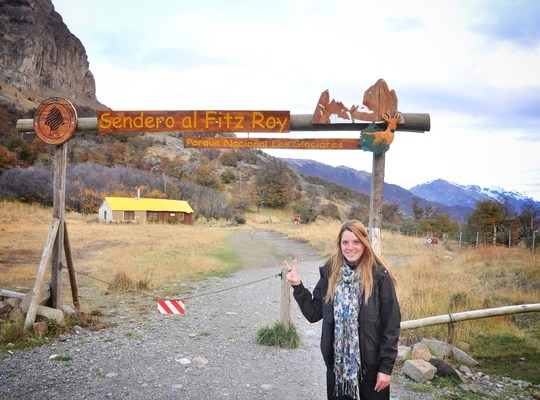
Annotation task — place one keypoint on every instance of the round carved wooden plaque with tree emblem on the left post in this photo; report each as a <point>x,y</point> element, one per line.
<point>55,120</point>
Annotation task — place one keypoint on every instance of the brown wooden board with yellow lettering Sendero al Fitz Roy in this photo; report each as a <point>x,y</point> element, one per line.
<point>194,121</point>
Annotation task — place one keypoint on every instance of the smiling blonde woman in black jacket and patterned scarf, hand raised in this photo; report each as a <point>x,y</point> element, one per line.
<point>356,299</point>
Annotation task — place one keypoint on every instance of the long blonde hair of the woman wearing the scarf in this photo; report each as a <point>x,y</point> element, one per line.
<point>365,267</point>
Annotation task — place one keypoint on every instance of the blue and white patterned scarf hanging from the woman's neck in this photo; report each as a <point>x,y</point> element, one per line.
<point>347,364</point>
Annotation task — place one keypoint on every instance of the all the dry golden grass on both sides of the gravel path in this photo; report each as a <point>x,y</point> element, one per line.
<point>432,280</point>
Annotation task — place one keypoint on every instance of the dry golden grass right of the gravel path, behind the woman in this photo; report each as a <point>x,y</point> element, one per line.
<point>442,279</point>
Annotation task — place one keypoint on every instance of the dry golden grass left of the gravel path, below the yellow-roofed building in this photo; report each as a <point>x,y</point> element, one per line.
<point>109,256</point>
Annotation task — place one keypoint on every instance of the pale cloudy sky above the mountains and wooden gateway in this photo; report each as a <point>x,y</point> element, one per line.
<point>474,66</point>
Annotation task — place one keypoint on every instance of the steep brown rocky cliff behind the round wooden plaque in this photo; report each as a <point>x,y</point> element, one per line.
<point>40,58</point>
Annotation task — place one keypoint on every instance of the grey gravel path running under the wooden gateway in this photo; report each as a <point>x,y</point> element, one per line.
<point>208,353</point>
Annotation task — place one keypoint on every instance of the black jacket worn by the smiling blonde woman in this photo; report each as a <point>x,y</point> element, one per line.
<point>378,320</point>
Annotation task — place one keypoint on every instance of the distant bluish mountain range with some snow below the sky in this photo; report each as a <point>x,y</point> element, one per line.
<point>458,201</point>
